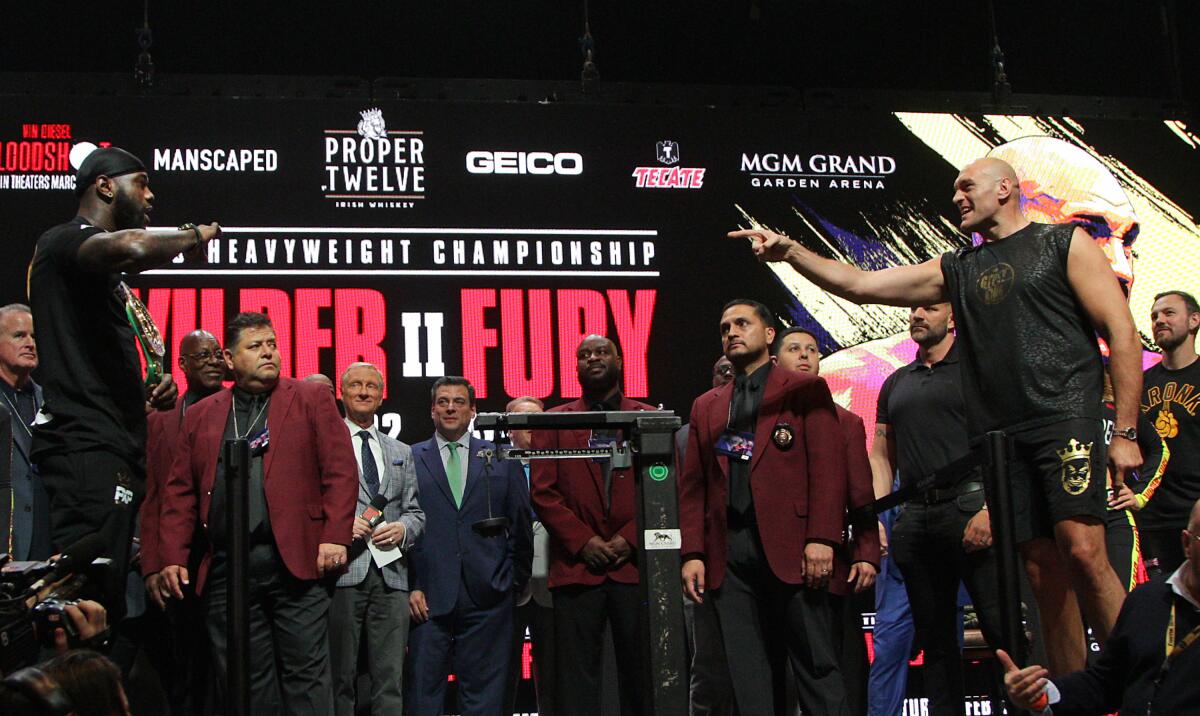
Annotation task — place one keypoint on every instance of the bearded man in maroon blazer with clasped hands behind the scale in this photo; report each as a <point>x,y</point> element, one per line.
<point>589,509</point>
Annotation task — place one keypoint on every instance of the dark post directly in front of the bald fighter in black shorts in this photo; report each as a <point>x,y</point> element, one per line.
<point>1004,531</point>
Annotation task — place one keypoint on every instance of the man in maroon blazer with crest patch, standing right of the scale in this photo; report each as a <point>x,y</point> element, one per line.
<point>763,504</point>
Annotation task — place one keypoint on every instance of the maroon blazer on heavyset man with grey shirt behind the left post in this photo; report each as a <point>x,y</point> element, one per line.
<point>310,477</point>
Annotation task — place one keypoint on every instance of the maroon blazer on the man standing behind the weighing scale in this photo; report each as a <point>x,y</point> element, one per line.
<point>568,497</point>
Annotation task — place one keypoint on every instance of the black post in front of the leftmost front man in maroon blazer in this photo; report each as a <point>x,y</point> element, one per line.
<point>237,477</point>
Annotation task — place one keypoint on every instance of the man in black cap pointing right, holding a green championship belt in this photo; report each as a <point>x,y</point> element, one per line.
<point>89,440</point>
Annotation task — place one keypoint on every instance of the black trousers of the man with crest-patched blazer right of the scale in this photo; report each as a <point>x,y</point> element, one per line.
<point>765,622</point>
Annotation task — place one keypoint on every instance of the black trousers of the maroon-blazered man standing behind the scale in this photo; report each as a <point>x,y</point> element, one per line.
<point>580,617</point>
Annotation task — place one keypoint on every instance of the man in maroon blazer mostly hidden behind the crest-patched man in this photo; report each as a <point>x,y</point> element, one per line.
<point>857,563</point>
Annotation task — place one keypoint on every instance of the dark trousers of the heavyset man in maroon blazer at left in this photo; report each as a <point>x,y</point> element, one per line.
<point>290,671</point>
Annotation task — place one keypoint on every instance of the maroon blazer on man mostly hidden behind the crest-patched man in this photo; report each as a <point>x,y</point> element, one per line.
<point>860,494</point>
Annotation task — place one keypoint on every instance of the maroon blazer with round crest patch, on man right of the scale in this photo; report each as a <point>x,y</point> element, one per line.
<point>800,490</point>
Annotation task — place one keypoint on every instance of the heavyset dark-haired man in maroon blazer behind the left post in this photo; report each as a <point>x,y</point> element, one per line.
<point>303,492</point>
